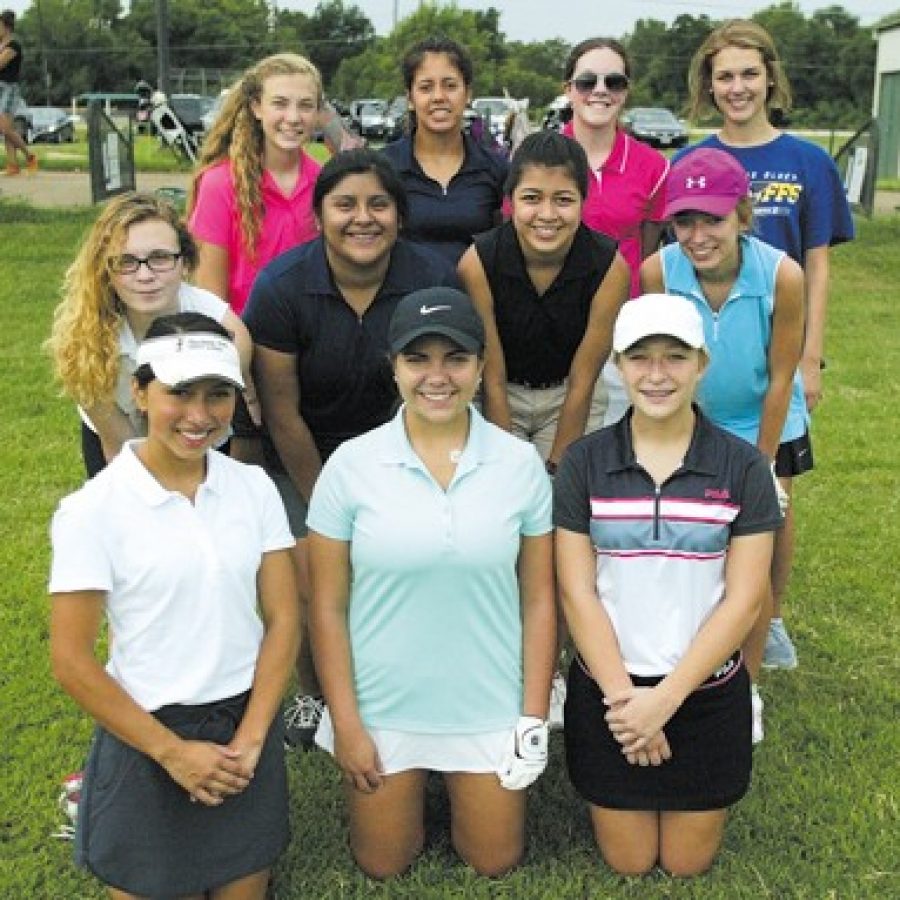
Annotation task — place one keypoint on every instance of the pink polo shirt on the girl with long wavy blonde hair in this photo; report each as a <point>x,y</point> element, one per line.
<point>287,222</point>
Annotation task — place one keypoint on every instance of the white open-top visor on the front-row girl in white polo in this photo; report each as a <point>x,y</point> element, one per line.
<point>181,358</point>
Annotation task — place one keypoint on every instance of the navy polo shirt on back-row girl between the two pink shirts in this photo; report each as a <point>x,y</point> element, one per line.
<point>447,220</point>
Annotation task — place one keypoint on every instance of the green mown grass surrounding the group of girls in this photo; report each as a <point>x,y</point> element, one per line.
<point>822,816</point>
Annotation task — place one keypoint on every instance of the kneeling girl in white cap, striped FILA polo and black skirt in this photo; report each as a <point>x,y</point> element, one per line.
<point>663,541</point>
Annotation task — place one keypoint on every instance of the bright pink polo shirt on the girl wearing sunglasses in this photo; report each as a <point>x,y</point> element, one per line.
<point>628,189</point>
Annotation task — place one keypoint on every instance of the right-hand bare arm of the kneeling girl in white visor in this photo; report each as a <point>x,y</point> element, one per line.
<point>280,611</point>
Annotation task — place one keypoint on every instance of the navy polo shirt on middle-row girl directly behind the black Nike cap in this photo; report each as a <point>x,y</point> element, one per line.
<point>346,384</point>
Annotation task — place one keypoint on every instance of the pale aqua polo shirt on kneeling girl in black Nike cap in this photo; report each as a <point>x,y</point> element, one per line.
<point>434,614</point>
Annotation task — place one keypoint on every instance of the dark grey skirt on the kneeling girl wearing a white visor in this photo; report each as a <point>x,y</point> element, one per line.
<point>139,831</point>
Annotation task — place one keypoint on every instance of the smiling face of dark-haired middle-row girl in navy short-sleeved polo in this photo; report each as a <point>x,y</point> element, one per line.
<point>359,222</point>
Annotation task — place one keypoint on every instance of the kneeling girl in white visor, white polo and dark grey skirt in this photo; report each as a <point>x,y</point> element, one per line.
<point>181,548</point>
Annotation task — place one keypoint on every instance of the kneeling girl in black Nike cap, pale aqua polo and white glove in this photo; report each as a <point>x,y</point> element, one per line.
<point>433,615</point>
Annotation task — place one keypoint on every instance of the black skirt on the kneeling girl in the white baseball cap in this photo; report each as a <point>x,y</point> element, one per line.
<point>709,737</point>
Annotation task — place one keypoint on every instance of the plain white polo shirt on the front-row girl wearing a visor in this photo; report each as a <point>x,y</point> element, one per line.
<point>179,577</point>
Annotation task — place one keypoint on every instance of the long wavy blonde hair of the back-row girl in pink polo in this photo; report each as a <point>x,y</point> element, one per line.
<point>238,137</point>
